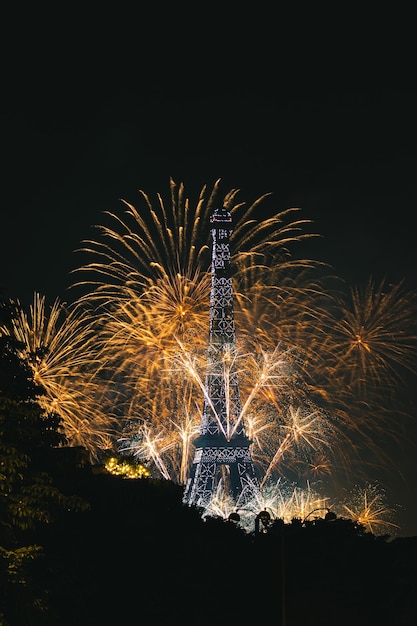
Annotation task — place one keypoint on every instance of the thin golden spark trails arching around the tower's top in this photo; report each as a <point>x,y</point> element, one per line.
<point>166,241</point>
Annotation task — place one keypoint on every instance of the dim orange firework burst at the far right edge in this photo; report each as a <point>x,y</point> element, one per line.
<point>373,337</point>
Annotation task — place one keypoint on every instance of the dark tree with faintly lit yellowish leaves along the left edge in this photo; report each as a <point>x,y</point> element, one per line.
<point>29,497</point>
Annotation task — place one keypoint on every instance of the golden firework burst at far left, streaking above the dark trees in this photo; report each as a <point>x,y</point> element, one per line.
<point>59,347</point>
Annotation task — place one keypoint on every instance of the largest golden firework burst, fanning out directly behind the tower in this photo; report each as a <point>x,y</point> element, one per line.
<point>149,282</point>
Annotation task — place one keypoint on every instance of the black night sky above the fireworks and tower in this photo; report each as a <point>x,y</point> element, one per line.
<point>325,125</point>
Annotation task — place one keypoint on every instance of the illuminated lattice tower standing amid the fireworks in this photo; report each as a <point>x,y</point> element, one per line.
<point>222,455</point>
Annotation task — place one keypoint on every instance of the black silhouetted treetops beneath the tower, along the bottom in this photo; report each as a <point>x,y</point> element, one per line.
<point>140,552</point>
